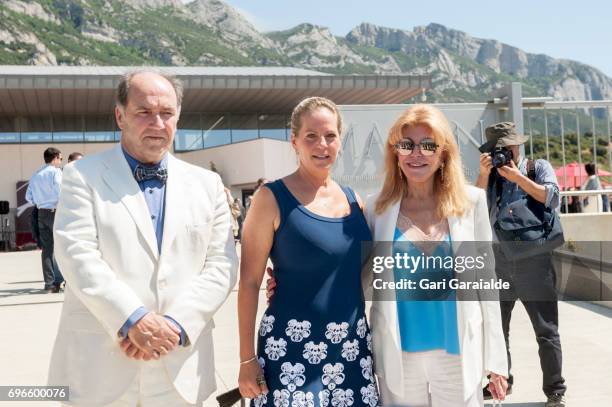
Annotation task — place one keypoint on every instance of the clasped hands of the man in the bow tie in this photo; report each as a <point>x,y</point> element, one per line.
<point>153,335</point>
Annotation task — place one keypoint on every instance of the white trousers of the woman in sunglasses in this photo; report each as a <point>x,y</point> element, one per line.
<point>431,379</point>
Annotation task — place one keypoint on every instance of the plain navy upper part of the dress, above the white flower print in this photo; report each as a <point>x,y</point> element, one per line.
<point>318,255</point>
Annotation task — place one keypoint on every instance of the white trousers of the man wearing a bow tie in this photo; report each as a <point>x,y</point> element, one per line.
<point>151,388</point>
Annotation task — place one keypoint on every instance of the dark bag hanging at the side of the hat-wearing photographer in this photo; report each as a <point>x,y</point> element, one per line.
<point>527,227</point>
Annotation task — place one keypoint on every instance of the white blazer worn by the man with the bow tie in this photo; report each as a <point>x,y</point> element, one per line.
<point>106,247</point>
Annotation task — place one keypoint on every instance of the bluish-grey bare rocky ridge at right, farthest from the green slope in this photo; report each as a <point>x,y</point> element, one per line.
<point>458,60</point>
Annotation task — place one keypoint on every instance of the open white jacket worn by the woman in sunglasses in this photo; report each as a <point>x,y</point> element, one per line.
<point>481,338</point>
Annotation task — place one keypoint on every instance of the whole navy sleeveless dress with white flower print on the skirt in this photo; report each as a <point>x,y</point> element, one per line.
<point>314,343</point>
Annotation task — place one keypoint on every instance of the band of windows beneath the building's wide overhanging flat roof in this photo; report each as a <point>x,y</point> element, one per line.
<point>195,131</point>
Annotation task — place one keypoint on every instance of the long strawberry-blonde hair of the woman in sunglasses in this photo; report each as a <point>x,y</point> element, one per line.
<point>449,181</point>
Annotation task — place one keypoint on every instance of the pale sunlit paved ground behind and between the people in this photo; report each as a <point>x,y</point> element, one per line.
<point>29,323</point>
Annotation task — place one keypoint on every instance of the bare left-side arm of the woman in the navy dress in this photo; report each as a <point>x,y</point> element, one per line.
<point>257,236</point>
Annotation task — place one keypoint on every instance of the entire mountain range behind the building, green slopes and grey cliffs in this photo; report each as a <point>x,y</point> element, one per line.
<point>211,32</point>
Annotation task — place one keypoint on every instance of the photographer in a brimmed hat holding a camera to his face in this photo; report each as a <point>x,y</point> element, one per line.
<point>532,279</point>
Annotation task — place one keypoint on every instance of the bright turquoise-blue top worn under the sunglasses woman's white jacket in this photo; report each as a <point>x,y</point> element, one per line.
<point>427,324</point>
